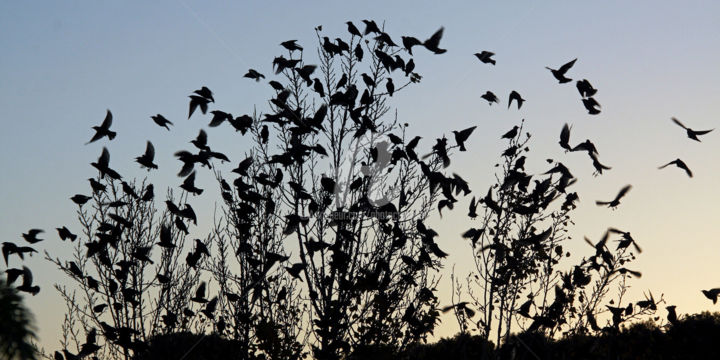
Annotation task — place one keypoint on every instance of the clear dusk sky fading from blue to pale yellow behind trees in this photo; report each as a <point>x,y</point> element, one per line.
<point>62,64</point>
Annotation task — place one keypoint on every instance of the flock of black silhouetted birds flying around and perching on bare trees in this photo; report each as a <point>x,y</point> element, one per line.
<point>201,98</point>
